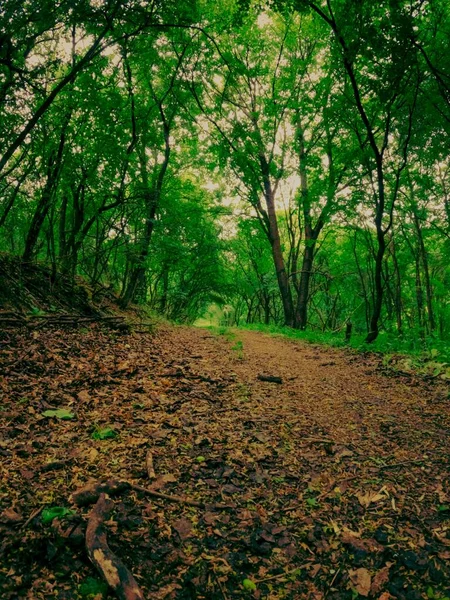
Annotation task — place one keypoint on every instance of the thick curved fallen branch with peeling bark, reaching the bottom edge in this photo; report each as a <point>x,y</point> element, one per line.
<point>110,567</point>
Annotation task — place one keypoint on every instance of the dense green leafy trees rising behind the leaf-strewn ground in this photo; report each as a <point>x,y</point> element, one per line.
<point>286,160</point>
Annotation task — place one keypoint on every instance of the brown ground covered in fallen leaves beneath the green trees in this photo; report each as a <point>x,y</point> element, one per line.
<point>335,482</point>
